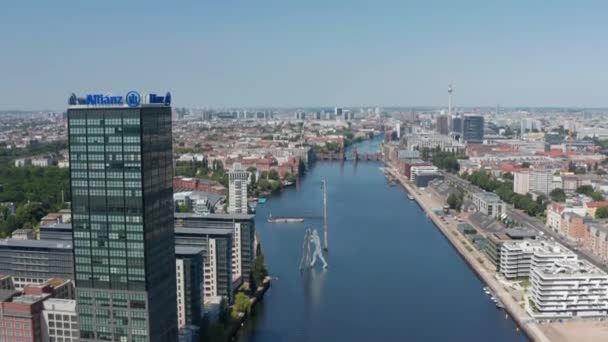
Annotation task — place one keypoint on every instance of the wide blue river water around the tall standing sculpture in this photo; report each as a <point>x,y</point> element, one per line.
<point>392,276</point>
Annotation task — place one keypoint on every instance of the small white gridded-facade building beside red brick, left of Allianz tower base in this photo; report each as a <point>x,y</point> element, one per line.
<point>59,321</point>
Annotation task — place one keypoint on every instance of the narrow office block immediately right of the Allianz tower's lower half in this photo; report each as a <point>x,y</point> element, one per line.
<point>189,275</point>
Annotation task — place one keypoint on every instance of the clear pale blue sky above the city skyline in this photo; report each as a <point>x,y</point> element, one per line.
<point>306,53</point>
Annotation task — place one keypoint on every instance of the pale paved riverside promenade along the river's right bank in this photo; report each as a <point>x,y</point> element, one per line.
<point>427,202</point>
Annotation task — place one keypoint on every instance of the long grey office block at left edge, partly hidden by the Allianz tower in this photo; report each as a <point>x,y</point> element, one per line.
<point>36,261</point>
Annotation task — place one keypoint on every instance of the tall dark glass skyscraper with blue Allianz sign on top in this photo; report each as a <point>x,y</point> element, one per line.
<point>121,171</point>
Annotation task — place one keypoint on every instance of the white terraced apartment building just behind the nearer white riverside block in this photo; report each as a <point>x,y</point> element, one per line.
<point>518,257</point>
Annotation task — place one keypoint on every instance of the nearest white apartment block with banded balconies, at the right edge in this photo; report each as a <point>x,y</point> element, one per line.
<point>569,288</point>
